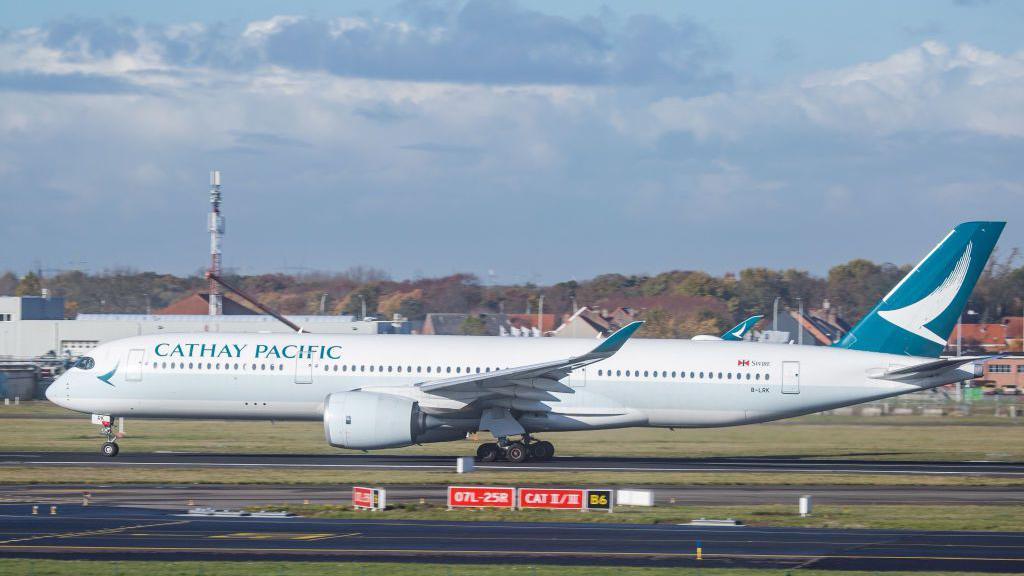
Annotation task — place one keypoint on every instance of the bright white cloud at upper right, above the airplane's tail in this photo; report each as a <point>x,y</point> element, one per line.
<point>930,88</point>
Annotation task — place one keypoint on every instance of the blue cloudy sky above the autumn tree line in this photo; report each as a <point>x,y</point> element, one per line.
<point>522,142</point>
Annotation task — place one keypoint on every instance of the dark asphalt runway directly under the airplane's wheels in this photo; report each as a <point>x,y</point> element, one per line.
<point>374,462</point>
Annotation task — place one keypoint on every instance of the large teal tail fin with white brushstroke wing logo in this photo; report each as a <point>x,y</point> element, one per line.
<point>917,317</point>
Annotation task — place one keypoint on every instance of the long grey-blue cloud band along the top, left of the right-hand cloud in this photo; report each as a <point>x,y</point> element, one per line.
<point>480,42</point>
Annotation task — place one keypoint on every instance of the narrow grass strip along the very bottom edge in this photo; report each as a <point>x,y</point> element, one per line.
<point>78,568</point>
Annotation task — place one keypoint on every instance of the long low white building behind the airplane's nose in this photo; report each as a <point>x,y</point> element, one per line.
<point>31,328</point>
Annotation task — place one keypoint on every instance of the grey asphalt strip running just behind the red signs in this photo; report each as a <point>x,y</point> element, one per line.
<point>235,497</point>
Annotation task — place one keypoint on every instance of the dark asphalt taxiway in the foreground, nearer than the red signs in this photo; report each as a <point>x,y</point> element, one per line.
<point>98,532</point>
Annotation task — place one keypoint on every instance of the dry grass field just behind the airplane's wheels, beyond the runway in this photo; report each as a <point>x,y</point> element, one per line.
<point>42,427</point>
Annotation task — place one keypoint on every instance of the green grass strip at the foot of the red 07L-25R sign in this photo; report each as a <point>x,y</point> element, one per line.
<point>1002,519</point>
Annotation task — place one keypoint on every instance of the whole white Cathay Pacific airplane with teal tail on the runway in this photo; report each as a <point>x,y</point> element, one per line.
<point>388,392</point>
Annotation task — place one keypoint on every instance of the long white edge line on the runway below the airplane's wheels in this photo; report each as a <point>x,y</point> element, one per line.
<point>535,469</point>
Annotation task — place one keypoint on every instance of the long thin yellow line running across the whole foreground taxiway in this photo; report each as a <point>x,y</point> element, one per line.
<point>491,552</point>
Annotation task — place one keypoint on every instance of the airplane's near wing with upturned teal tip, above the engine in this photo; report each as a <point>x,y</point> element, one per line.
<point>550,372</point>
